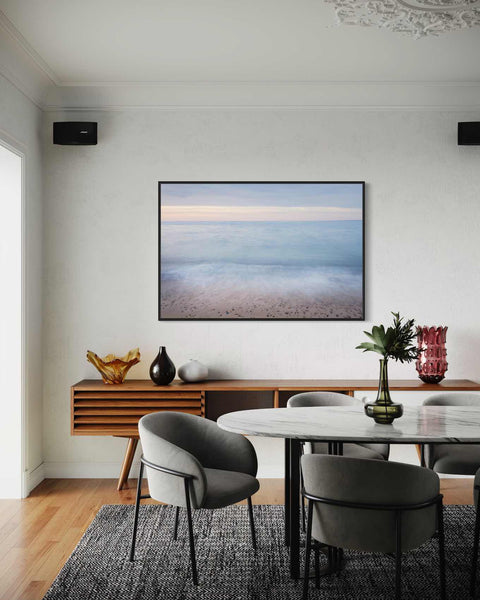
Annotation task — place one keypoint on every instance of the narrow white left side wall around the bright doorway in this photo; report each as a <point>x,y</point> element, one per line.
<point>20,126</point>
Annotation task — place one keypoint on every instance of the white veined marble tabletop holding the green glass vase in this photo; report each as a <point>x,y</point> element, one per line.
<point>422,424</point>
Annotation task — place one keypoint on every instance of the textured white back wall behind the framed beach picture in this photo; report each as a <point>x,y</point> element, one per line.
<point>422,250</point>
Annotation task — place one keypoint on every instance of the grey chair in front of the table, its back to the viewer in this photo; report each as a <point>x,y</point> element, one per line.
<point>372,506</point>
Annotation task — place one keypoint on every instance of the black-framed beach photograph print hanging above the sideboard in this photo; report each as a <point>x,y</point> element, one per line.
<point>264,251</point>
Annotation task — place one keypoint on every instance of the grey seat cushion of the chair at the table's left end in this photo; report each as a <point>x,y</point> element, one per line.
<point>227,487</point>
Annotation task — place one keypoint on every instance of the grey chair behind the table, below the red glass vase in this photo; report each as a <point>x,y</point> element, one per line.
<point>454,459</point>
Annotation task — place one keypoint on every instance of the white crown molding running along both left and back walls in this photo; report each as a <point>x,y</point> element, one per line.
<point>26,70</point>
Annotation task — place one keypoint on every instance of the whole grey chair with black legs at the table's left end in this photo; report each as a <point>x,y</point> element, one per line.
<point>192,463</point>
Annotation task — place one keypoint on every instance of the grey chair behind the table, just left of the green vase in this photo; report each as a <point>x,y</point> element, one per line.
<point>373,451</point>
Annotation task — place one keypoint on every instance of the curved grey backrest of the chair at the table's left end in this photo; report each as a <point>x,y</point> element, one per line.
<point>190,444</point>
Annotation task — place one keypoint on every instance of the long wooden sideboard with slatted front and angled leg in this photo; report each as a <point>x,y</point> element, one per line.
<point>100,409</point>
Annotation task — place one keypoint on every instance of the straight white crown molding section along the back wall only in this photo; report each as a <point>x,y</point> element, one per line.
<point>293,95</point>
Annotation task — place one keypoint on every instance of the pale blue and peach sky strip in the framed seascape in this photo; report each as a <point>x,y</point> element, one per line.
<point>261,202</point>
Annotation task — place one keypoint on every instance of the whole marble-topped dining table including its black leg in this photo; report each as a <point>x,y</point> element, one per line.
<point>339,424</point>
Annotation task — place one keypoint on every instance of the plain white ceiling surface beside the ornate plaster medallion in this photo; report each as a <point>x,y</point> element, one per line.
<point>112,41</point>
